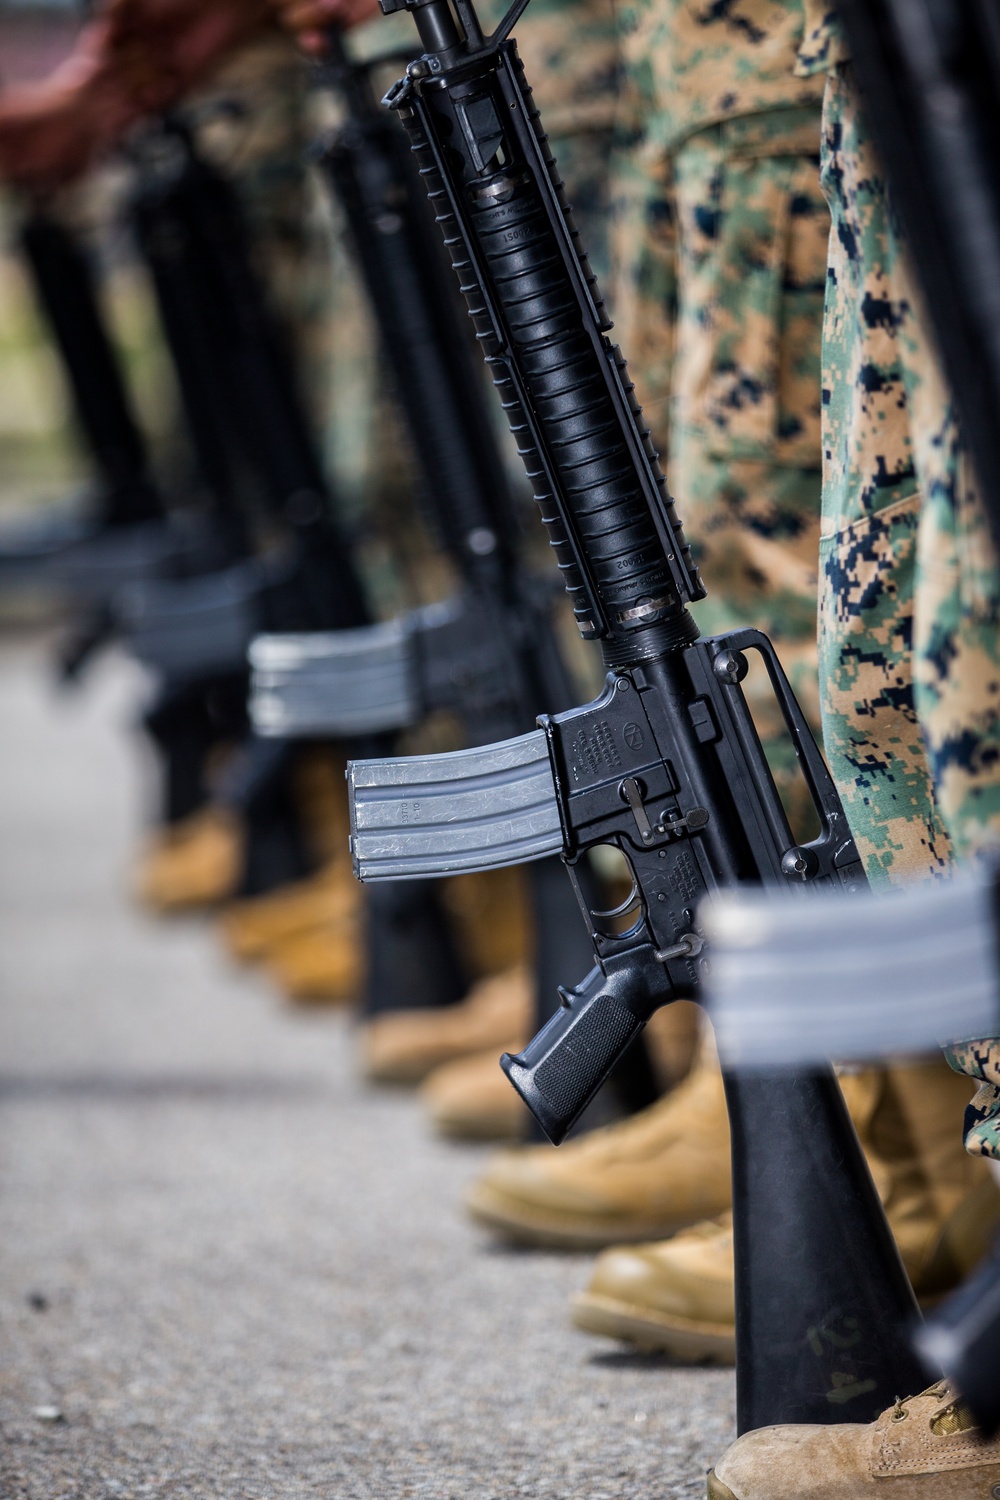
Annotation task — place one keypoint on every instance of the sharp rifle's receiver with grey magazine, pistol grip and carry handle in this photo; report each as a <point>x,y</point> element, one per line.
<point>665,766</point>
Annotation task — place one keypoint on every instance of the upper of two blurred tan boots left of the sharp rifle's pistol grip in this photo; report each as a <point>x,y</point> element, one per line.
<point>406,1046</point>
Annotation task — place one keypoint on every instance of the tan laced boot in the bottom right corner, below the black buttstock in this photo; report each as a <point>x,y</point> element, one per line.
<point>926,1448</point>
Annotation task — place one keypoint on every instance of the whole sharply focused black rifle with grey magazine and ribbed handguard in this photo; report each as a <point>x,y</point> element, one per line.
<point>665,764</point>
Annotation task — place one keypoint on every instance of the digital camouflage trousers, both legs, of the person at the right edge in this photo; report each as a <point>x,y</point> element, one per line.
<point>909,583</point>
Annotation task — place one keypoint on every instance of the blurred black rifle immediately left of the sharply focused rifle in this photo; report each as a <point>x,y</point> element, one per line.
<point>490,656</point>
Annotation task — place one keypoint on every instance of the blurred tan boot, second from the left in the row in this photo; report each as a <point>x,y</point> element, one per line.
<point>253,929</point>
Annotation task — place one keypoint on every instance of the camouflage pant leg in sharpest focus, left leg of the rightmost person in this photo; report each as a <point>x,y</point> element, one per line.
<point>872,509</point>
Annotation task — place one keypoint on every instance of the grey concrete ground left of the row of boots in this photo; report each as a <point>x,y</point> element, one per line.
<point>227,1267</point>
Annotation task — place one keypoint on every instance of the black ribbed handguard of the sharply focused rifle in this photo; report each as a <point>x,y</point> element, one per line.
<point>569,403</point>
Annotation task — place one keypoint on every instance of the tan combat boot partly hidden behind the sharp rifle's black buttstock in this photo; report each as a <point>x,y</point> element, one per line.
<point>944,1208</point>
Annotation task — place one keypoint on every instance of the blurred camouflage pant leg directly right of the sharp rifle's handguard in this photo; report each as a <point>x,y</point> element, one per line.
<point>723,305</point>
